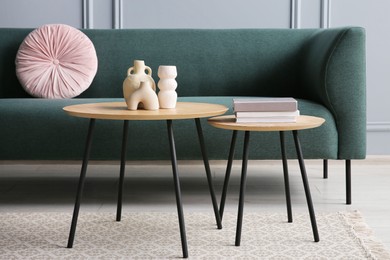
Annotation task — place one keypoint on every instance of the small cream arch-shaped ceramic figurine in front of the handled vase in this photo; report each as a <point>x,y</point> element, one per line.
<point>143,95</point>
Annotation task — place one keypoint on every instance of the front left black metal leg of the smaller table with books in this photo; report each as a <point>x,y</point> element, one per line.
<point>242,188</point>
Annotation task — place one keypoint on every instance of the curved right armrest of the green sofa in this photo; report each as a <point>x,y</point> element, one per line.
<point>334,74</point>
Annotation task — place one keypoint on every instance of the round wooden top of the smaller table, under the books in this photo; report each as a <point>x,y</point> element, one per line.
<point>229,122</point>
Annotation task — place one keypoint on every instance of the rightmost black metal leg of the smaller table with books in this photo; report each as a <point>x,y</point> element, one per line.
<point>306,186</point>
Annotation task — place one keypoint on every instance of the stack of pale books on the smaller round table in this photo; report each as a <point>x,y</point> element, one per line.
<point>265,110</point>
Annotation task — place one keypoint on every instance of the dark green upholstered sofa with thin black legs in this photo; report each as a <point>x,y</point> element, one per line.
<point>324,69</point>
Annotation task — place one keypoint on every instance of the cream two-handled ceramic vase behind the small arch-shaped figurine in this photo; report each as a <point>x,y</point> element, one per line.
<point>135,75</point>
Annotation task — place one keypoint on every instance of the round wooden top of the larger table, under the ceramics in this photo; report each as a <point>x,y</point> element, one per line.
<point>119,111</point>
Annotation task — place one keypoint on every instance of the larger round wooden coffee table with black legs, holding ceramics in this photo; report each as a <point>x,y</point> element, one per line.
<point>119,111</point>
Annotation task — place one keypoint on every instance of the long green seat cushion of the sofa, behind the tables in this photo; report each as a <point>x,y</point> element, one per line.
<point>41,130</point>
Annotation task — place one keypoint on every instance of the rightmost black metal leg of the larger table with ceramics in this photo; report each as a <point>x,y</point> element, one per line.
<point>208,172</point>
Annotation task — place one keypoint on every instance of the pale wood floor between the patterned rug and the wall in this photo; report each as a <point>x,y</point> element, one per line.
<point>27,186</point>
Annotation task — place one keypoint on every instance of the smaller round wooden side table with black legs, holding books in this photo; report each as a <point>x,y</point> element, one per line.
<point>303,122</point>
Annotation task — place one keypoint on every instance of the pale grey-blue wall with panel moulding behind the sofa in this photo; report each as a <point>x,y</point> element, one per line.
<point>372,15</point>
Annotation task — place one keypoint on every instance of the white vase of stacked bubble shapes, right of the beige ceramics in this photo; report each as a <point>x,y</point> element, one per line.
<point>167,84</point>
